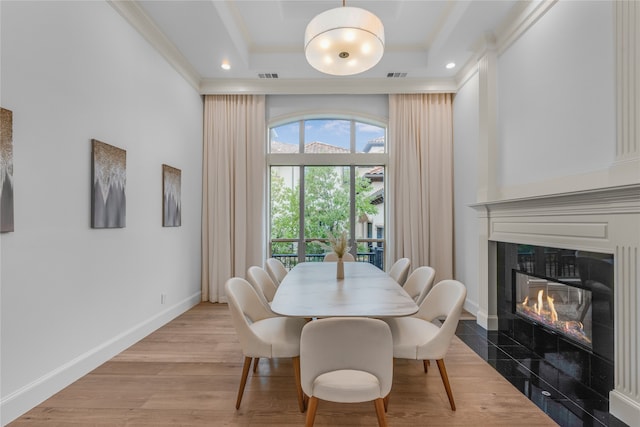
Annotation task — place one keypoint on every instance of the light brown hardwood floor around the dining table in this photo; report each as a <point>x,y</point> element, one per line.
<point>187,374</point>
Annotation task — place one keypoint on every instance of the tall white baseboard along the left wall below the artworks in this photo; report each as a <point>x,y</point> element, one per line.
<point>31,395</point>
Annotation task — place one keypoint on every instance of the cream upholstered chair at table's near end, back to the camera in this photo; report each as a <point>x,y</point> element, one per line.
<point>346,360</point>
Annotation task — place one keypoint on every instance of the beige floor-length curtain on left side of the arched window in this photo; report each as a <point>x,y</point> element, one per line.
<point>233,206</point>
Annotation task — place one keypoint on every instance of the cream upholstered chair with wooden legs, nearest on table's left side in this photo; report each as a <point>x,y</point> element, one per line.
<point>261,332</point>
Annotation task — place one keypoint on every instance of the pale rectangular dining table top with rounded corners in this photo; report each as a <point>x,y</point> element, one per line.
<point>311,289</point>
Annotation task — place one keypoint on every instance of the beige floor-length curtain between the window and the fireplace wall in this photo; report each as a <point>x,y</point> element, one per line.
<point>421,204</point>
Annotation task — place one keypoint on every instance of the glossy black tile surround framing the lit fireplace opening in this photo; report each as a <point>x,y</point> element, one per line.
<point>592,272</point>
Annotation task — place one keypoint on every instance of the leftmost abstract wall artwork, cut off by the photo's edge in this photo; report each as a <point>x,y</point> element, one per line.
<point>6,170</point>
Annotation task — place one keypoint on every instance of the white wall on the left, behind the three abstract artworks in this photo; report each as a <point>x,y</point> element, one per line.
<point>73,296</point>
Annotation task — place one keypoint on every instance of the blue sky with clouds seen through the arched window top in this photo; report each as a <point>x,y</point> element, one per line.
<point>333,131</point>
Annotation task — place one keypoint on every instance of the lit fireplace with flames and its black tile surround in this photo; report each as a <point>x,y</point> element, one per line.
<point>559,303</point>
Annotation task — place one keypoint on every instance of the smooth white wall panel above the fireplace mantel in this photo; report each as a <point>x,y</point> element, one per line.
<point>556,89</point>
